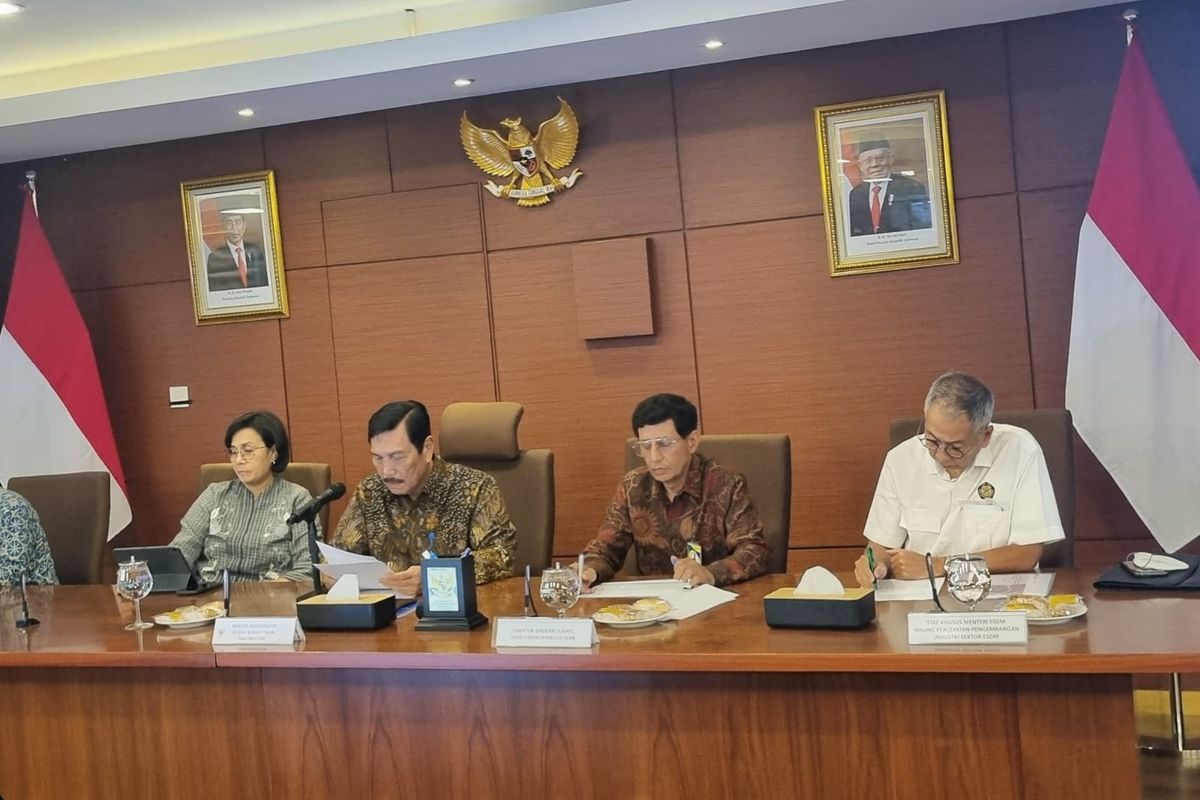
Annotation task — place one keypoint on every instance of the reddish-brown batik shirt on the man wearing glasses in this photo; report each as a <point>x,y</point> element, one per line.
<point>713,509</point>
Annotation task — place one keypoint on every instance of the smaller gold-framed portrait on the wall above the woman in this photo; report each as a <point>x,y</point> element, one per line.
<point>235,254</point>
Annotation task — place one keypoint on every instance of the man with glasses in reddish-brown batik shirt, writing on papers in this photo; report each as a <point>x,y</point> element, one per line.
<point>679,498</point>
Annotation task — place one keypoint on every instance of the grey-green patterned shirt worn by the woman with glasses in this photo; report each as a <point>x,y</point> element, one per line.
<point>230,528</point>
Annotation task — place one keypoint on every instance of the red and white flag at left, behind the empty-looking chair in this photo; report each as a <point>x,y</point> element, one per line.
<point>53,418</point>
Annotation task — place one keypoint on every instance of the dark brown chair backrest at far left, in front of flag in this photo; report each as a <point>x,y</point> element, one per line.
<point>74,509</point>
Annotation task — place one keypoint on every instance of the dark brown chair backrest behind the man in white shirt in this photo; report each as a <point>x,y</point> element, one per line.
<point>1055,432</point>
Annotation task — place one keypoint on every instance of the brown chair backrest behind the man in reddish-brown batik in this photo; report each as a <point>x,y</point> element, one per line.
<point>765,460</point>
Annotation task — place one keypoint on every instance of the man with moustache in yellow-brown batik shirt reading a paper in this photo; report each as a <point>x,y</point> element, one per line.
<point>413,495</point>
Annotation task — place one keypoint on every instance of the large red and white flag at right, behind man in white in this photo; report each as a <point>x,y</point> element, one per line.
<point>1133,376</point>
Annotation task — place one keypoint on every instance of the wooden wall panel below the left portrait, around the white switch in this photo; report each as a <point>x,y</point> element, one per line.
<point>146,341</point>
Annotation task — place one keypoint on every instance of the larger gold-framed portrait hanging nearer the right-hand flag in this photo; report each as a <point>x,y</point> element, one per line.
<point>886,184</point>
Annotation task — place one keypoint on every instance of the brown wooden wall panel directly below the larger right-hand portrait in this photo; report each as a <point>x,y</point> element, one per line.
<point>784,348</point>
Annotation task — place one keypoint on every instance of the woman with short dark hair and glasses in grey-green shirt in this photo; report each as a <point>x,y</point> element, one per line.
<point>242,525</point>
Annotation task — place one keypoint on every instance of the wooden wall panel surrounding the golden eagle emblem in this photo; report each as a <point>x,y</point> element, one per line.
<point>627,153</point>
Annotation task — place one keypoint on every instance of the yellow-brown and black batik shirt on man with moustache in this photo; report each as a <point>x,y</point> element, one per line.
<point>461,507</point>
